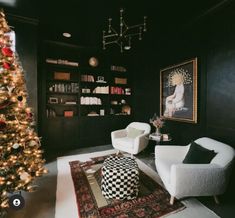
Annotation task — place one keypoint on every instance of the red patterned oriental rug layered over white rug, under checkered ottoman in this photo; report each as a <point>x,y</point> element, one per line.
<point>152,201</point>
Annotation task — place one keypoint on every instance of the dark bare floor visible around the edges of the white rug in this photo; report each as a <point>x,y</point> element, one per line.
<point>41,204</point>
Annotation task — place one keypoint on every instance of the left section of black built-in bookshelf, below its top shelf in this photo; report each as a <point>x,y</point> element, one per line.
<point>62,91</point>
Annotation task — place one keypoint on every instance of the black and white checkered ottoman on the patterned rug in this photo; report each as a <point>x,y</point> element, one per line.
<point>120,178</point>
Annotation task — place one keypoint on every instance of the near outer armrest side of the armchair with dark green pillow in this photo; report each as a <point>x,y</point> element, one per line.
<point>197,179</point>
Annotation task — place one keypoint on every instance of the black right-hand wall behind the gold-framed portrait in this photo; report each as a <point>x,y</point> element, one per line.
<point>210,39</point>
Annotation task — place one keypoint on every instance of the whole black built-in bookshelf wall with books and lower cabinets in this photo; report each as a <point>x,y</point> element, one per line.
<point>77,97</point>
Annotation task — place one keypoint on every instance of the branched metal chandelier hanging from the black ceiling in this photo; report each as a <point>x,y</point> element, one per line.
<point>123,38</point>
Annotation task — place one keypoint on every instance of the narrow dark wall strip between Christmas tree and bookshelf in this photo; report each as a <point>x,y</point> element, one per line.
<point>26,31</point>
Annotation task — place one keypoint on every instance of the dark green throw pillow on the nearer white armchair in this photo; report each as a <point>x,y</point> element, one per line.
<point>198,154</point>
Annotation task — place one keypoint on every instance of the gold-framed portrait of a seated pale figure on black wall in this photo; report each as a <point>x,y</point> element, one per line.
<point>178,92</point>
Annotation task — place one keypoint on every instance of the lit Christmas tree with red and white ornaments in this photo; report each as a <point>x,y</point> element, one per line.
<point>20,154</point>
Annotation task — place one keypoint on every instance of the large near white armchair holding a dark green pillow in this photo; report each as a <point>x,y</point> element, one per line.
<point>183,180</point>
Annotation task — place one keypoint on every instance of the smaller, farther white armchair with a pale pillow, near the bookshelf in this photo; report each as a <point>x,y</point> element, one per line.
<point>133,145</point>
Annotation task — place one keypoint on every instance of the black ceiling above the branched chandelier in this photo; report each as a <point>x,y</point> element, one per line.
<point>86,20</point>
